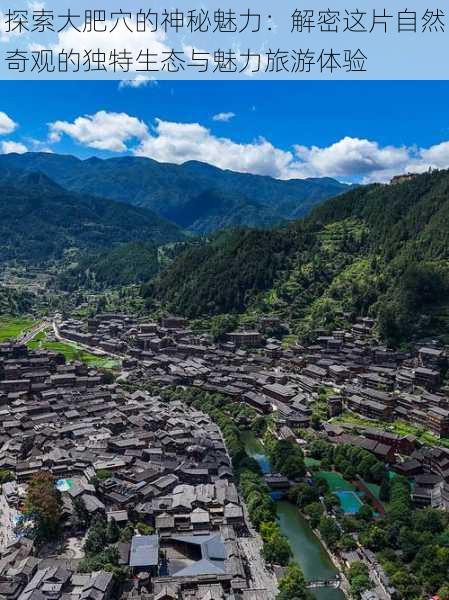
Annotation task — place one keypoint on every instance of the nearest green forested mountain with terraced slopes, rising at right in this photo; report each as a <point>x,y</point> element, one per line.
<point>379,249</point>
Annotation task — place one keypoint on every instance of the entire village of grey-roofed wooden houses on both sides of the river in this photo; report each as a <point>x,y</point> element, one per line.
<point>161,470</point>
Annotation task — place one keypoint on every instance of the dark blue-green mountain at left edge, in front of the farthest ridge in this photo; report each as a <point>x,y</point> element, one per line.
<point>39,220</point>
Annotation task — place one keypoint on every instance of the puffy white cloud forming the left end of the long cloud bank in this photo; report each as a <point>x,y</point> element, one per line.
<point>103,131</point>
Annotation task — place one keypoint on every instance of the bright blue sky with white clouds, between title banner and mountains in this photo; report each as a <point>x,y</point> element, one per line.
<point>349,130</point>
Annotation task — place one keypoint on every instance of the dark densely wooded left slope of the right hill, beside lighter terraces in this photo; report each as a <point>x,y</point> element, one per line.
<point>223,274</point>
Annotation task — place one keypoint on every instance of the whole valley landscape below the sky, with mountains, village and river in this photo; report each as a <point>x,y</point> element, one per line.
<point>260,400</point>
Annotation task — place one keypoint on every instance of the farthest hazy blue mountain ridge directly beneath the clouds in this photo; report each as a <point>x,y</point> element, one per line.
<point>193,195</point>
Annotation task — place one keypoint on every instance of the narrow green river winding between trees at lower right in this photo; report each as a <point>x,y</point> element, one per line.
<point>307,548</point>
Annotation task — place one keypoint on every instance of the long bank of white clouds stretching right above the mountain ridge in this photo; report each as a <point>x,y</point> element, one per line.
<point>350,158</point>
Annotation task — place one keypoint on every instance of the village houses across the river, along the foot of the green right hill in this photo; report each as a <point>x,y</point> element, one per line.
<point>362,376</point>
